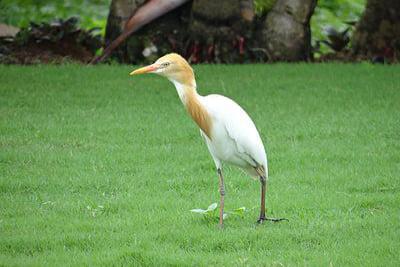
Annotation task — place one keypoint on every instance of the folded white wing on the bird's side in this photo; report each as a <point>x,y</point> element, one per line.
<point>239,128</point>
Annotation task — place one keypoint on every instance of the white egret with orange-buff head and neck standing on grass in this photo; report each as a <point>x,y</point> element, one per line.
<point>228,131</point>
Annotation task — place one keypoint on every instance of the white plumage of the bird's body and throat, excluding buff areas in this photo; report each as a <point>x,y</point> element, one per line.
<point>234,138</point>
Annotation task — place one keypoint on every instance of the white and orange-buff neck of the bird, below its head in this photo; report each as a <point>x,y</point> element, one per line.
<point>194,106</point>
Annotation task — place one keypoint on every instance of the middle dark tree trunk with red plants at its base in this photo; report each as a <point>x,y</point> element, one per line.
<point>219,30</point>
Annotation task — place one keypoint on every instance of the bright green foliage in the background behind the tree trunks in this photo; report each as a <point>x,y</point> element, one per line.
<point>93,13</point>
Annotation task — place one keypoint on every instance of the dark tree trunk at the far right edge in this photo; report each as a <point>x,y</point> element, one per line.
<point>377,35</point>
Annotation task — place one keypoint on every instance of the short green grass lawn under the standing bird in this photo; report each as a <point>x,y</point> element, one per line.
<point>100,168</point>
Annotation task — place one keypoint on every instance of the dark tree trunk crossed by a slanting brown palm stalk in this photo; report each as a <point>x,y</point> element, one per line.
<point>165,34</point>
